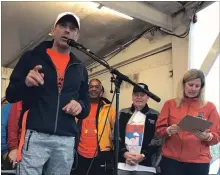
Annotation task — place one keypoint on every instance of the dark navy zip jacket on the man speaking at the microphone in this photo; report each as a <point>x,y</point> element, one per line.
<point>45,103</point>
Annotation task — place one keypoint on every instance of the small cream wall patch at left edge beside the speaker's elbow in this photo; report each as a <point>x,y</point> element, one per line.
<point>5,74</point>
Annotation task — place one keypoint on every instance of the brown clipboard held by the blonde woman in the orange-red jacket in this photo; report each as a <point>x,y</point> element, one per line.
<point>190,123</point>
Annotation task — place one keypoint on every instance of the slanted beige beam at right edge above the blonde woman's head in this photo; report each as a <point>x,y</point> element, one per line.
<point>211,57</point>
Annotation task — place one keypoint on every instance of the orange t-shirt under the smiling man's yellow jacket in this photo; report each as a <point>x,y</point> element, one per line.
<point>88,139</point>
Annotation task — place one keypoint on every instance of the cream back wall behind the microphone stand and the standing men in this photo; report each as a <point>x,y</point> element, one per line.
<point>153,70</point>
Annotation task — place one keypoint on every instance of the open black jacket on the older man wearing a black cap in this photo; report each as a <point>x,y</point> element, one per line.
<point>151,143</point>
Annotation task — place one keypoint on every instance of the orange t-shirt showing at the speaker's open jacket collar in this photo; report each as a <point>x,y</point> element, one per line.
<point>60,61</point>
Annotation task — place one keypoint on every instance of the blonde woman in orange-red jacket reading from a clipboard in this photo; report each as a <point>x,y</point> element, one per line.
<point>187,153</point>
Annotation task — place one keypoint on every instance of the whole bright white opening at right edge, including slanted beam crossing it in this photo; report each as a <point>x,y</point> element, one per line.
<point>203,50</point>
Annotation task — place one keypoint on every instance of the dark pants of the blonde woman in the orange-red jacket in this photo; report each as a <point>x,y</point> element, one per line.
<point>173,167</point>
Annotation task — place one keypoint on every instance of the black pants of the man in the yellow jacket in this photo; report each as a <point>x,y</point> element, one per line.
<point>96,168</point>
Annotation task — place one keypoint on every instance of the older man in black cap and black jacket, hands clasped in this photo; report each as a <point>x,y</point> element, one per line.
<point>138,146</point>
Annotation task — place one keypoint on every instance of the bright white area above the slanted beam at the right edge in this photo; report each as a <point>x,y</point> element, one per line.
<point>203,34</point>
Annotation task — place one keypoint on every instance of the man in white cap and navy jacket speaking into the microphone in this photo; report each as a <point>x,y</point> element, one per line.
<point>54,84</point>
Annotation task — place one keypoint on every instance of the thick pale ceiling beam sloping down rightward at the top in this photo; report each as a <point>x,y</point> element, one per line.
<point>141,11</point>
